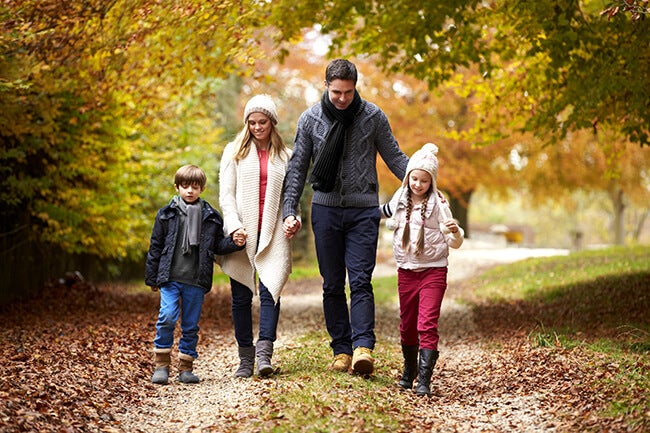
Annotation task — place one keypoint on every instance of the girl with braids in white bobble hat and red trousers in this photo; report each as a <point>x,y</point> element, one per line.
<point>424,229</point>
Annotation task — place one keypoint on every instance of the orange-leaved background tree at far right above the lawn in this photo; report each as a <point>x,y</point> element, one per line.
<point>588,162</point>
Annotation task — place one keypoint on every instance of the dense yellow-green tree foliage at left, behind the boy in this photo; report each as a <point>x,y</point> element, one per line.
<point>91,93</point>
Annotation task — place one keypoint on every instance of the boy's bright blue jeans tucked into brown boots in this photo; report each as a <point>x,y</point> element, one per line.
<point>184,300</point>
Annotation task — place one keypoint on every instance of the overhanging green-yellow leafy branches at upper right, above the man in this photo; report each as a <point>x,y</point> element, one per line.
<point>553,66</point>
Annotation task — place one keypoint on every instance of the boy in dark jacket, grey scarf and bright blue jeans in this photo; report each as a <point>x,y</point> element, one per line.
<point>187,233</point>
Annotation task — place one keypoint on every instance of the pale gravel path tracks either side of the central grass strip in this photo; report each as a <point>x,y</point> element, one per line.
<point>461,403</point>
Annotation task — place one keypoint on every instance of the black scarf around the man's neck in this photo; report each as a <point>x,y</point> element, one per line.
<point>326,166</point>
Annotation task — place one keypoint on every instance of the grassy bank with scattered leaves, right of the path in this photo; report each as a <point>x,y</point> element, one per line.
<point>597,301</point>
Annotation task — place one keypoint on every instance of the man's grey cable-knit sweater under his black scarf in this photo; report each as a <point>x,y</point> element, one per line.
<point>356,185</point>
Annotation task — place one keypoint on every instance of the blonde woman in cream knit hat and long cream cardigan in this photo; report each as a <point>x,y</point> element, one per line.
<point>252,173</point>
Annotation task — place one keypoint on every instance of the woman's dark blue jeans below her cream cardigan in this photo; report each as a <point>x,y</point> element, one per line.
<point>242,315</point>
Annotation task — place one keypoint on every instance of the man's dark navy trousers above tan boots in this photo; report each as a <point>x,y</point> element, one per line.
<point>346,240</point>
